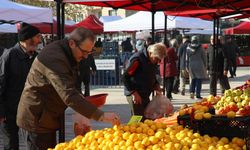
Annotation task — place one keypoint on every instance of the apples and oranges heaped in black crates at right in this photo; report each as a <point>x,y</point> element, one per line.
<point>216,116</point>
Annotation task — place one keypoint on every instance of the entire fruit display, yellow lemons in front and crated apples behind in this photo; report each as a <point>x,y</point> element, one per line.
<point>215,123</point>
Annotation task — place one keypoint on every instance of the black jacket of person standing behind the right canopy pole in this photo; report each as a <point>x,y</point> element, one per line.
<point>217,62</point>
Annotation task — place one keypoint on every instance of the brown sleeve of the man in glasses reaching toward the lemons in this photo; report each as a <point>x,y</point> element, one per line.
<point>63,83</point>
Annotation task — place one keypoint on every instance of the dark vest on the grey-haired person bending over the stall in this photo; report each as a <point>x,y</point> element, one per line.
<point>144,78</point>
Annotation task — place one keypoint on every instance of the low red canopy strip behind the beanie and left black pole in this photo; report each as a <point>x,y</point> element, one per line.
<point>46,27</point>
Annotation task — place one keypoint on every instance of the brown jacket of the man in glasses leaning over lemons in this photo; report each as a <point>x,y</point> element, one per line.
<point>50,88</point>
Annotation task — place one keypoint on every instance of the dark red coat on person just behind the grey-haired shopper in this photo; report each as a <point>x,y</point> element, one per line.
<point>171,68</point>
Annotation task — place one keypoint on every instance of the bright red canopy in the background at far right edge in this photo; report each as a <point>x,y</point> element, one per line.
<point>243,28</point>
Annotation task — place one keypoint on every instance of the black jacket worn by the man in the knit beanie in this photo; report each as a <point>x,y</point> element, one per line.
<point>15,65</point>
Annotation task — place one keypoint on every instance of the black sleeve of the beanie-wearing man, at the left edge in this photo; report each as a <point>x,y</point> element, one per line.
<point>4,59</point>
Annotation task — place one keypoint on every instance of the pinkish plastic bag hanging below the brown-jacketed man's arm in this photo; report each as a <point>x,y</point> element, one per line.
<point>81,124</point>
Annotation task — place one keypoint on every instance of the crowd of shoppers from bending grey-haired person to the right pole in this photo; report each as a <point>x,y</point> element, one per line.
<point>186,63</point>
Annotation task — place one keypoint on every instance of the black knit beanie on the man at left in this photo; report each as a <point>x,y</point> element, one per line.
<point>27,31</point>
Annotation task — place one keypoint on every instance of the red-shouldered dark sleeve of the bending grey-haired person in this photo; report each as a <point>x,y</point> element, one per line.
<point>128,76</point>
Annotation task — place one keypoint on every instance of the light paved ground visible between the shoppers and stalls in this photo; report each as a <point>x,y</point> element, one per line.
<point>116,102</point>
